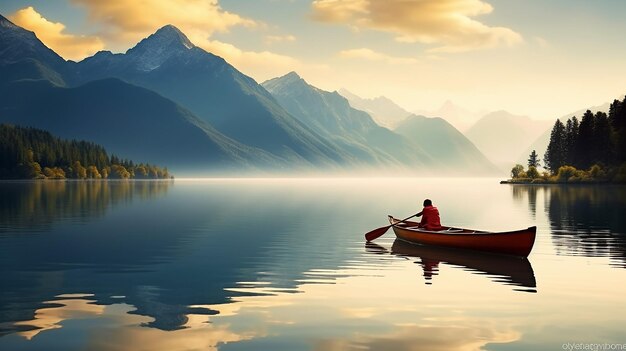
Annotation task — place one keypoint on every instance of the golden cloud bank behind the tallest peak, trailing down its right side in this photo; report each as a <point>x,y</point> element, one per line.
<point>126,22</point>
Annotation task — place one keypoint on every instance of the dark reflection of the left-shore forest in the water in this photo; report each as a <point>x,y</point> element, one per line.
<point>35,205</point>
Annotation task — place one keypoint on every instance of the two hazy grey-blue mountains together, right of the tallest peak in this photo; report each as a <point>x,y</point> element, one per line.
<point>430,143</point>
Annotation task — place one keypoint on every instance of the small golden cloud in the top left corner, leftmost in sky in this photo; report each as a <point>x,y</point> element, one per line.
<point>53,34</point>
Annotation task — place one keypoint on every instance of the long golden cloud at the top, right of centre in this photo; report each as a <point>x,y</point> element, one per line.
<point>448,24</point>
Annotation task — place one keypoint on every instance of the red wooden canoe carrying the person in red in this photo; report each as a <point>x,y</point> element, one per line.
<point>516,243</point>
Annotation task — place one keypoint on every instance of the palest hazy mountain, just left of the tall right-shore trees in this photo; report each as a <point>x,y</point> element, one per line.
<point>503,137</point>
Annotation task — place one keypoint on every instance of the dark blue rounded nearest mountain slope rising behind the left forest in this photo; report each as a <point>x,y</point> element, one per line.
<point>127,120</point>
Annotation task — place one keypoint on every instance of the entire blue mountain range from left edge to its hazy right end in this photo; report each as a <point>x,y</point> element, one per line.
<point>169,102</point>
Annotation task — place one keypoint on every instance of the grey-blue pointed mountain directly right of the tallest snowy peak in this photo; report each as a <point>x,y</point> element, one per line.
<point>330,115</point>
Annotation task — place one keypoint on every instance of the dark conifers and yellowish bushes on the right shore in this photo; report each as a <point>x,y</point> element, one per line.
<point>590,151</point>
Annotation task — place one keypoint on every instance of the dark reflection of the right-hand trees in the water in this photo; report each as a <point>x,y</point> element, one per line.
<point>585,220</point>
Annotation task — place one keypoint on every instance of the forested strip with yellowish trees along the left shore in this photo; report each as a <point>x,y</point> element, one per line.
<point>29,153</point>
